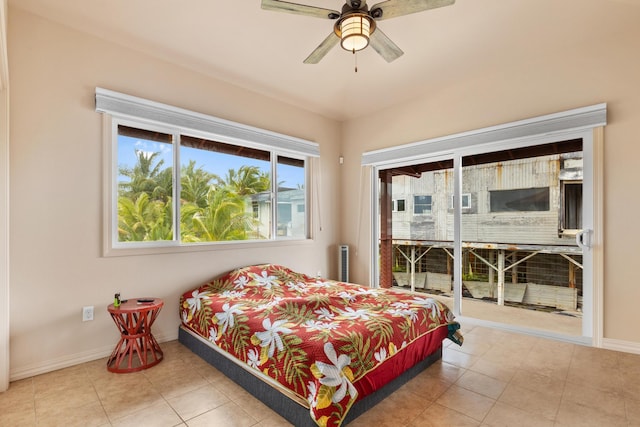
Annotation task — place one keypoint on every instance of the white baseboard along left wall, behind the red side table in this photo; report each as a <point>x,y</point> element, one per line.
<point>72,360</point>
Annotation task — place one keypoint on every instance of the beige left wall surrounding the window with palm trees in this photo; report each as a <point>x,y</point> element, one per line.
<point>56,191</point>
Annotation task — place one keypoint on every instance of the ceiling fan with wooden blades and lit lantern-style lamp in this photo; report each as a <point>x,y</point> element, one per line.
<point>356,25</point>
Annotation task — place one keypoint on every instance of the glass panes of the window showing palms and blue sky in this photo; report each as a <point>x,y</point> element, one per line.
<point>225,190</point>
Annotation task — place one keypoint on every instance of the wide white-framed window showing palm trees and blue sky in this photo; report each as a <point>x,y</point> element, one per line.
<point>177,185</point>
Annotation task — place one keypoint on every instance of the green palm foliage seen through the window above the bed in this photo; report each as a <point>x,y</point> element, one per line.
<point>211,208</point>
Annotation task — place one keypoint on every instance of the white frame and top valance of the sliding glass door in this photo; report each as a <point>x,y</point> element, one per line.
<point>584,123</point>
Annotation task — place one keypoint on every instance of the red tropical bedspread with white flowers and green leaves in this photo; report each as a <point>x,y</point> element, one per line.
<point>313,336</point>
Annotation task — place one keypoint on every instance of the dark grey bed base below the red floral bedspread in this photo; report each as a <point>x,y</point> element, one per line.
<point>292,411</point>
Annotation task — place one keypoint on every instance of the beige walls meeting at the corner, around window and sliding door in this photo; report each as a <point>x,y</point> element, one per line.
<point>56,179</point>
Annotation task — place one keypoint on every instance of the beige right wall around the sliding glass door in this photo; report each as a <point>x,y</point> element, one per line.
<point>602,70</point>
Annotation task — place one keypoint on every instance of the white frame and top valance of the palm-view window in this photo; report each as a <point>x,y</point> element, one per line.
<point>131,111</point>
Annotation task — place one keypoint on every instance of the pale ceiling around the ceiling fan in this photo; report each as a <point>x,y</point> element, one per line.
<point>237,41</point>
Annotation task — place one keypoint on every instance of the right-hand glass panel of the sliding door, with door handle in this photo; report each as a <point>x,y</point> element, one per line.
<point>520,214</point>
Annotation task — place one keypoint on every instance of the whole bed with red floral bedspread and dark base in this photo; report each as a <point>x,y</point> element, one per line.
<point>331,350</point>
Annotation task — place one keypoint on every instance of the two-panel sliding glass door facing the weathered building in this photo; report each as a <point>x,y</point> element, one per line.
<point>500,232</point>
